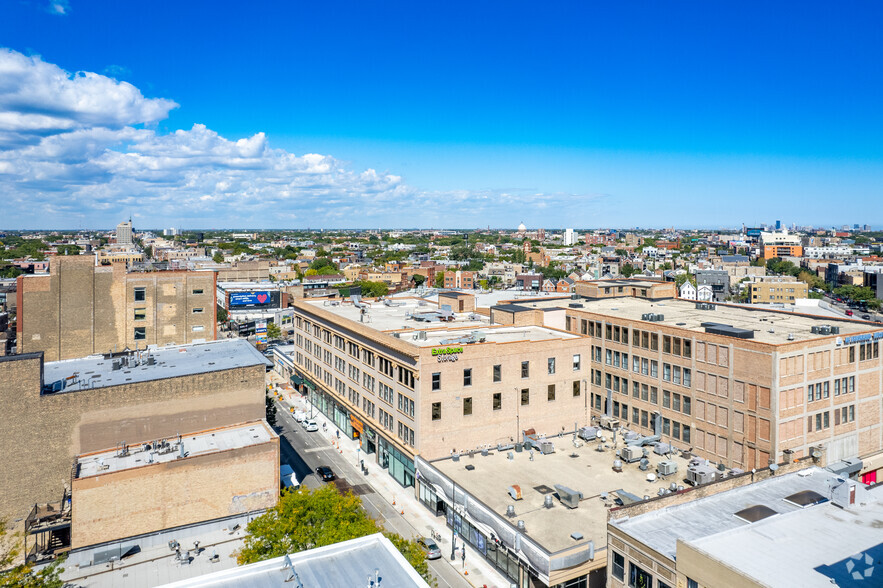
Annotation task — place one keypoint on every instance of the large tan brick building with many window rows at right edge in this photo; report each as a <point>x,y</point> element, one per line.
<point>738,386</point>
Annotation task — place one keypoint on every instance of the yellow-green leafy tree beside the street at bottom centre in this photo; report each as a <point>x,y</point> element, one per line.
<point>305,519</point>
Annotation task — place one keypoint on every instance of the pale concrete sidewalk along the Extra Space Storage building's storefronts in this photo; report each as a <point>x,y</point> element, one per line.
<point>478,572</point>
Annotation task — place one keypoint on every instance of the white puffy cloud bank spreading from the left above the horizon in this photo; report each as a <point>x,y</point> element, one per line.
<point>83,149</point>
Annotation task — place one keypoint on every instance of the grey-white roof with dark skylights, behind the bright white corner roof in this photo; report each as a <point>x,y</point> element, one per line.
<point>705,517</point>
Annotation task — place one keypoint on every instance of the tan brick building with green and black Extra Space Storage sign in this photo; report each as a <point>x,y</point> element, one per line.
<point>408,378</point>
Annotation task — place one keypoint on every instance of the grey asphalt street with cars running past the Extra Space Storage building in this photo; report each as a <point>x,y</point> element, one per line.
<point>304,452</point>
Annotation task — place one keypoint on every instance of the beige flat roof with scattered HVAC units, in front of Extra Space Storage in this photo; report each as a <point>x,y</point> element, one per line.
<point>582,469</point>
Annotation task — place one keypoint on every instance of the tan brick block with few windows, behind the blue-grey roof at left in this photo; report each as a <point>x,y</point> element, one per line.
<point>81,308</point>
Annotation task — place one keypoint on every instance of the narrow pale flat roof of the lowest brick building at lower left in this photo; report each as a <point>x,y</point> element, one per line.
<point>140,455</point>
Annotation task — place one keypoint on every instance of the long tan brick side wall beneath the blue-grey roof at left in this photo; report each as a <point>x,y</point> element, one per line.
<point>42,433</point>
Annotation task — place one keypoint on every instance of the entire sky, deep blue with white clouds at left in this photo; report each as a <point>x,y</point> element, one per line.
<point>447,114</point>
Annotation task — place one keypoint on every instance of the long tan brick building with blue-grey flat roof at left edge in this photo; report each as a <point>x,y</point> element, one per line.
<point>56,411</point>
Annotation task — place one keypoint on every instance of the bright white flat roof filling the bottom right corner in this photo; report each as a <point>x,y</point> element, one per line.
<point>819,546</point>
